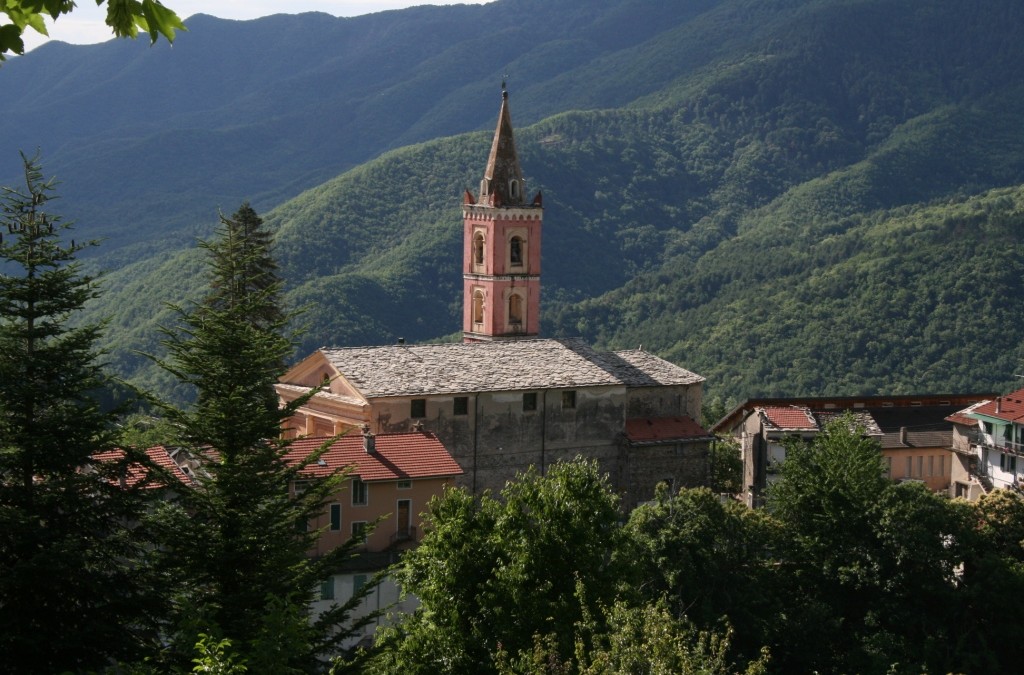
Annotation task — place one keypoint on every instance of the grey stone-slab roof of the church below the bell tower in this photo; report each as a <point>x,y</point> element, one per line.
<point>501,366</point>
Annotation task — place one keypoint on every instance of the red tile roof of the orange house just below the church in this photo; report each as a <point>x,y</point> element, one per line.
<point>397,456</point>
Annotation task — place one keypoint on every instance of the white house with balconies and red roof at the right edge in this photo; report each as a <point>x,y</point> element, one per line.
<point>990,439</point>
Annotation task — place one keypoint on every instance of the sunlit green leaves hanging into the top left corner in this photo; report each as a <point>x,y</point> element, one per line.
<point>126,19</point>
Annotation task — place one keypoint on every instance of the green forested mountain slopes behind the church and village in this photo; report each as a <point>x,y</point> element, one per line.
<point>788,197</point>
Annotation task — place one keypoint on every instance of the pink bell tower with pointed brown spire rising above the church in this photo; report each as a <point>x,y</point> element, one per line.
<point>501,247</point>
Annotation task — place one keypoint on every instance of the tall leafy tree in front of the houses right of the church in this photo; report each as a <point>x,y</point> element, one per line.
<point>825,501</point>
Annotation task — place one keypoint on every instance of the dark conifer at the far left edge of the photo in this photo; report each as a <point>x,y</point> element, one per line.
<point>72,596</point>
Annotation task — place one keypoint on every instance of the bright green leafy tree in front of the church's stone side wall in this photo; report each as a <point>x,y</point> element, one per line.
<point>492,574</point>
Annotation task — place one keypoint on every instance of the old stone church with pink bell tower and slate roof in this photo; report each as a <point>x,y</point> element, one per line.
<point>505,399</point>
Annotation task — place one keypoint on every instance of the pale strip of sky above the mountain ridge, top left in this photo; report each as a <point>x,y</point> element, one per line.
<point>86,24</point>
